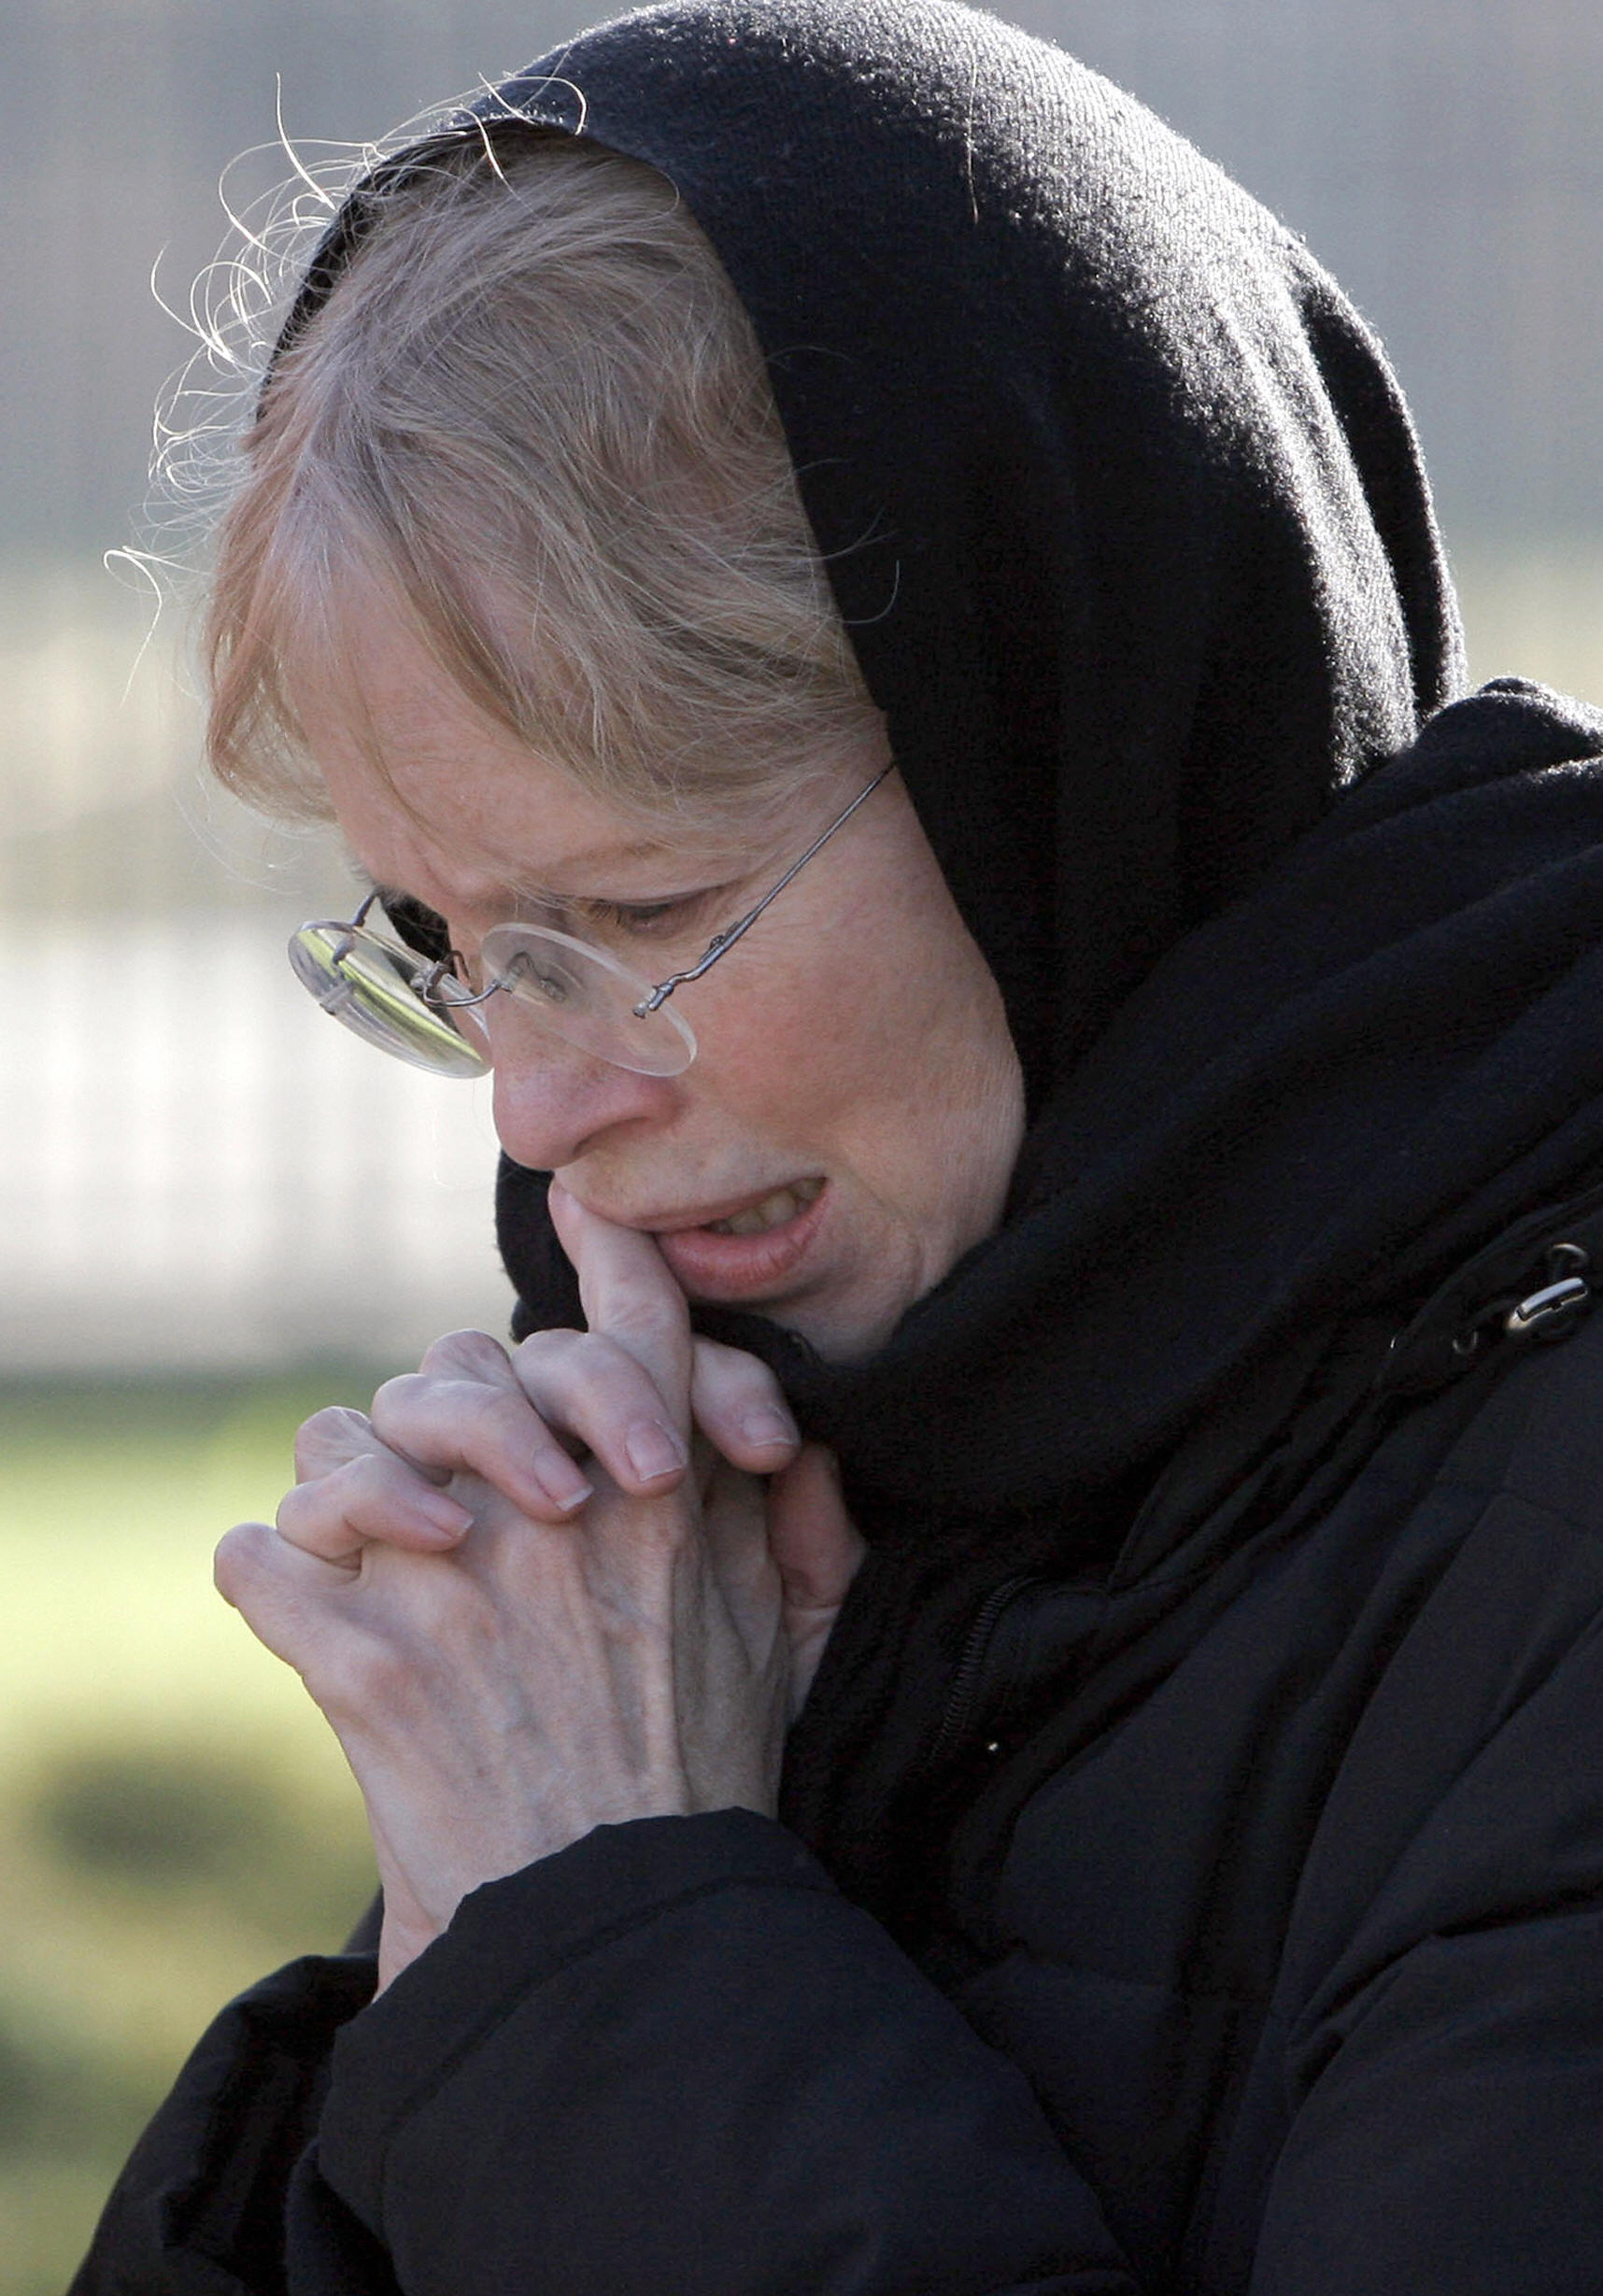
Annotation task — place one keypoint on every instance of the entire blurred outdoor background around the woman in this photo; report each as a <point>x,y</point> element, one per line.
<point>219,1211</point>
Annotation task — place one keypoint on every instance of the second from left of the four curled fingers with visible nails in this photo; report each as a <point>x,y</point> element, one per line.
<point>467,1427</point>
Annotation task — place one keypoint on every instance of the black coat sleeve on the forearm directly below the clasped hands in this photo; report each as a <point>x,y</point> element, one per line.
<point>699,2029</point>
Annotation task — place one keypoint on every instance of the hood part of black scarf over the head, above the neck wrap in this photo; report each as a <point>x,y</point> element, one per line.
<point>1117,497</point>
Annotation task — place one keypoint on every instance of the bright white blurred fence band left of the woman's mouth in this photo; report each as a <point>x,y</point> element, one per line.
<point>201,1170</point>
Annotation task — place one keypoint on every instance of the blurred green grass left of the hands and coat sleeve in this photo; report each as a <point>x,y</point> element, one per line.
<point>176,1817</point>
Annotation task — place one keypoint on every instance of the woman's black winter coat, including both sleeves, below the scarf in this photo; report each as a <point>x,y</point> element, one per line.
<point>1285,1978</point>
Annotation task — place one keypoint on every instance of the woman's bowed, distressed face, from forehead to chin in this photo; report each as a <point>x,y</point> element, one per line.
<point>851,1122</point>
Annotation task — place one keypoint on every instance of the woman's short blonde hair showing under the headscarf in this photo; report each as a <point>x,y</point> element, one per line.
<point>534,417</point>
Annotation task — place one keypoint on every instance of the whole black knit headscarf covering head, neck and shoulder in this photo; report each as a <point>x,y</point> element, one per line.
<point>1131,534</point>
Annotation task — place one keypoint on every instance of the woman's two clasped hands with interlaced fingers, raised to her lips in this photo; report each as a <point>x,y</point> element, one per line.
<point>552,1590</point>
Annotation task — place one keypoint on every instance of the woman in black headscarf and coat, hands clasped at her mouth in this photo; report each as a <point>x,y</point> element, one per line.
<point>1136,1106</point>
